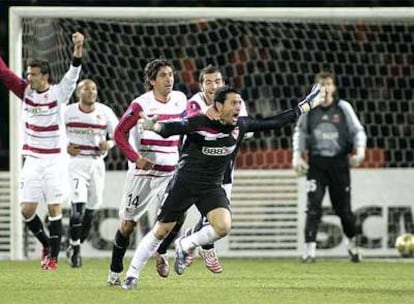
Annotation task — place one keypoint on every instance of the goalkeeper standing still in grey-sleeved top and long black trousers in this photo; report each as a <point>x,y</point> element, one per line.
<point>329,134</point>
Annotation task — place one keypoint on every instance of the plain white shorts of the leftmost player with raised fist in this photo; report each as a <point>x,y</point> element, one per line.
<point>44,180</point>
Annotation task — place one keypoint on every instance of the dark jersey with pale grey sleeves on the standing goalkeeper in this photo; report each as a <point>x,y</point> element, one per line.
<point>329,132</point>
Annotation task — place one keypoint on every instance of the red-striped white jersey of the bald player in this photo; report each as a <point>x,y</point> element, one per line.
<point>89,129</point>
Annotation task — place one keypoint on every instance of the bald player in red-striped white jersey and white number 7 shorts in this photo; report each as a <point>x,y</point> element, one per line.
<point>90,126</point>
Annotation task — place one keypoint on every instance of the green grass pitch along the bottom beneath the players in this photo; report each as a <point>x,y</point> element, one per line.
<point>243,281</point>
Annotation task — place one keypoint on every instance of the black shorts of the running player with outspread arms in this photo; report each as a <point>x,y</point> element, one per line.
<point>181,195</point>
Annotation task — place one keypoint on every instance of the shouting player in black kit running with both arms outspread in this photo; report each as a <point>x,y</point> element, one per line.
<point>206,154</point>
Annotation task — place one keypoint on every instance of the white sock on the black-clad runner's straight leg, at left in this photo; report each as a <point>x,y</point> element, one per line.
<point>146,248</point>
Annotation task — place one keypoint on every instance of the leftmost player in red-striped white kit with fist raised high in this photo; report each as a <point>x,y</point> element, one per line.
<point>44,176</point>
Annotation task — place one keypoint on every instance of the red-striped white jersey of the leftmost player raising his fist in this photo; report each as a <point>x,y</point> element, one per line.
<point>43,127</point>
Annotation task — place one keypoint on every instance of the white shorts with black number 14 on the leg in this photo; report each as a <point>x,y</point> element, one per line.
<point>142,194</point>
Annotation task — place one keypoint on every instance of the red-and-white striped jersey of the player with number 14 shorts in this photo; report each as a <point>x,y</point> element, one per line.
<point>162,151</point>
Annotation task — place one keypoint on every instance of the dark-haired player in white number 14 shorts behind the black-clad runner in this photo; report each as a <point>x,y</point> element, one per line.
<point>152,158</point>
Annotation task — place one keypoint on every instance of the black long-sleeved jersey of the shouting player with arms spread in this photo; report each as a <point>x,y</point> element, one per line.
<point>210,145</point>
